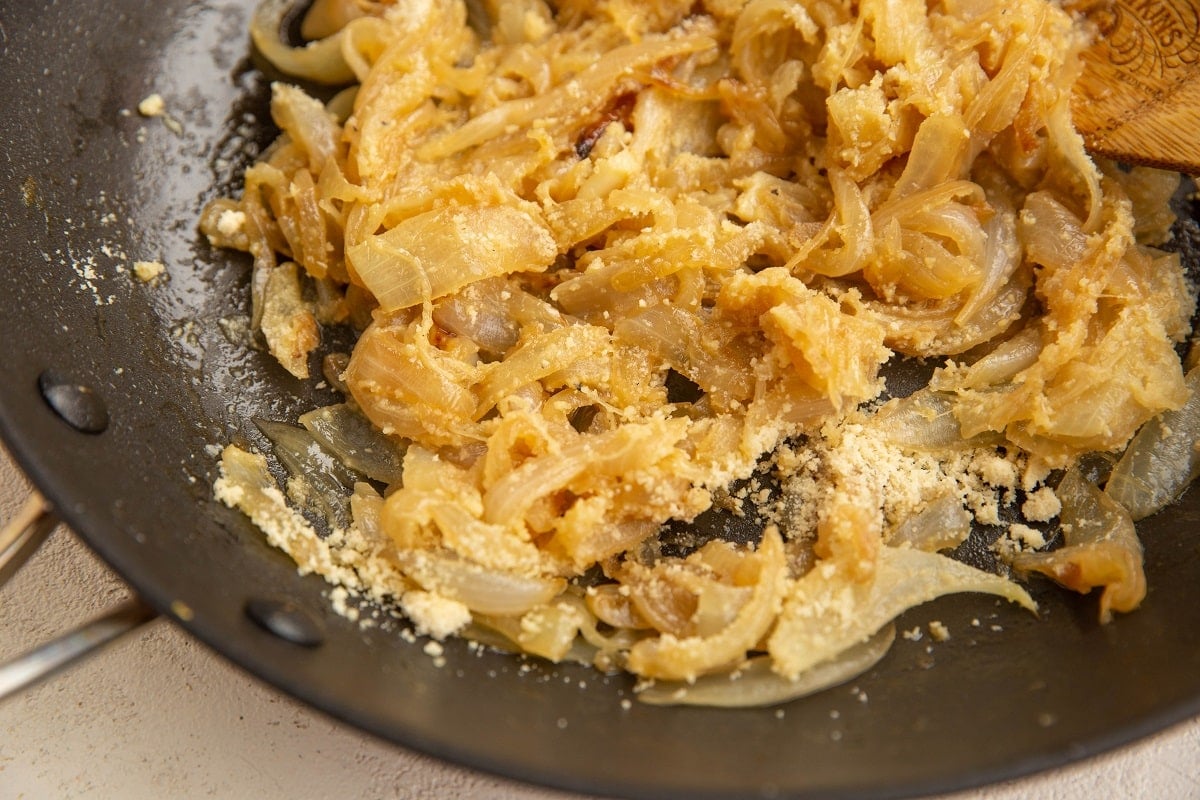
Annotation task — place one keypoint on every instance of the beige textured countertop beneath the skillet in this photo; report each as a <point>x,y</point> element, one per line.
<point>159,715</point>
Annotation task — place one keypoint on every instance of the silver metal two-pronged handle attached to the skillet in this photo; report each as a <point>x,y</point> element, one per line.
<point>21,539</point>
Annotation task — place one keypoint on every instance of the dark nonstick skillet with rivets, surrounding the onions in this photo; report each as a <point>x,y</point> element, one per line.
<point>88,187</point>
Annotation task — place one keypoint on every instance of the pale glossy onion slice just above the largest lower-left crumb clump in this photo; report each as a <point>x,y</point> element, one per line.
<point>482,591</point>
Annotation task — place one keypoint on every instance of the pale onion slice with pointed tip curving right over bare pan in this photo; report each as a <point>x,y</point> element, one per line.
<point>827,612</point>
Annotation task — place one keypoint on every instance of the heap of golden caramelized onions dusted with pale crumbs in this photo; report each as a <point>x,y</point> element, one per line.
<point>544,237</point>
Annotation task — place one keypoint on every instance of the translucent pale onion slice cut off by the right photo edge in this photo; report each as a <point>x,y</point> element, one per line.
<point>1162,460</point>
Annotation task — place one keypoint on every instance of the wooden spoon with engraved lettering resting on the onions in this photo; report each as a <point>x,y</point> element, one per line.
<point>1138,100</point>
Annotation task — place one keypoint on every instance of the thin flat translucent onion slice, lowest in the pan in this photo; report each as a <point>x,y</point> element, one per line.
<point>757,685</point>
